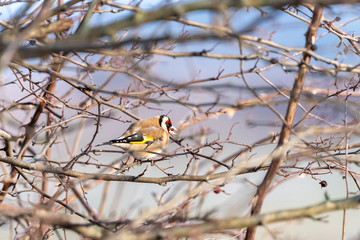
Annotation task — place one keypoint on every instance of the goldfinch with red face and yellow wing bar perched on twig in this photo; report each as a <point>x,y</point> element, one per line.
<point>145,138</point>
